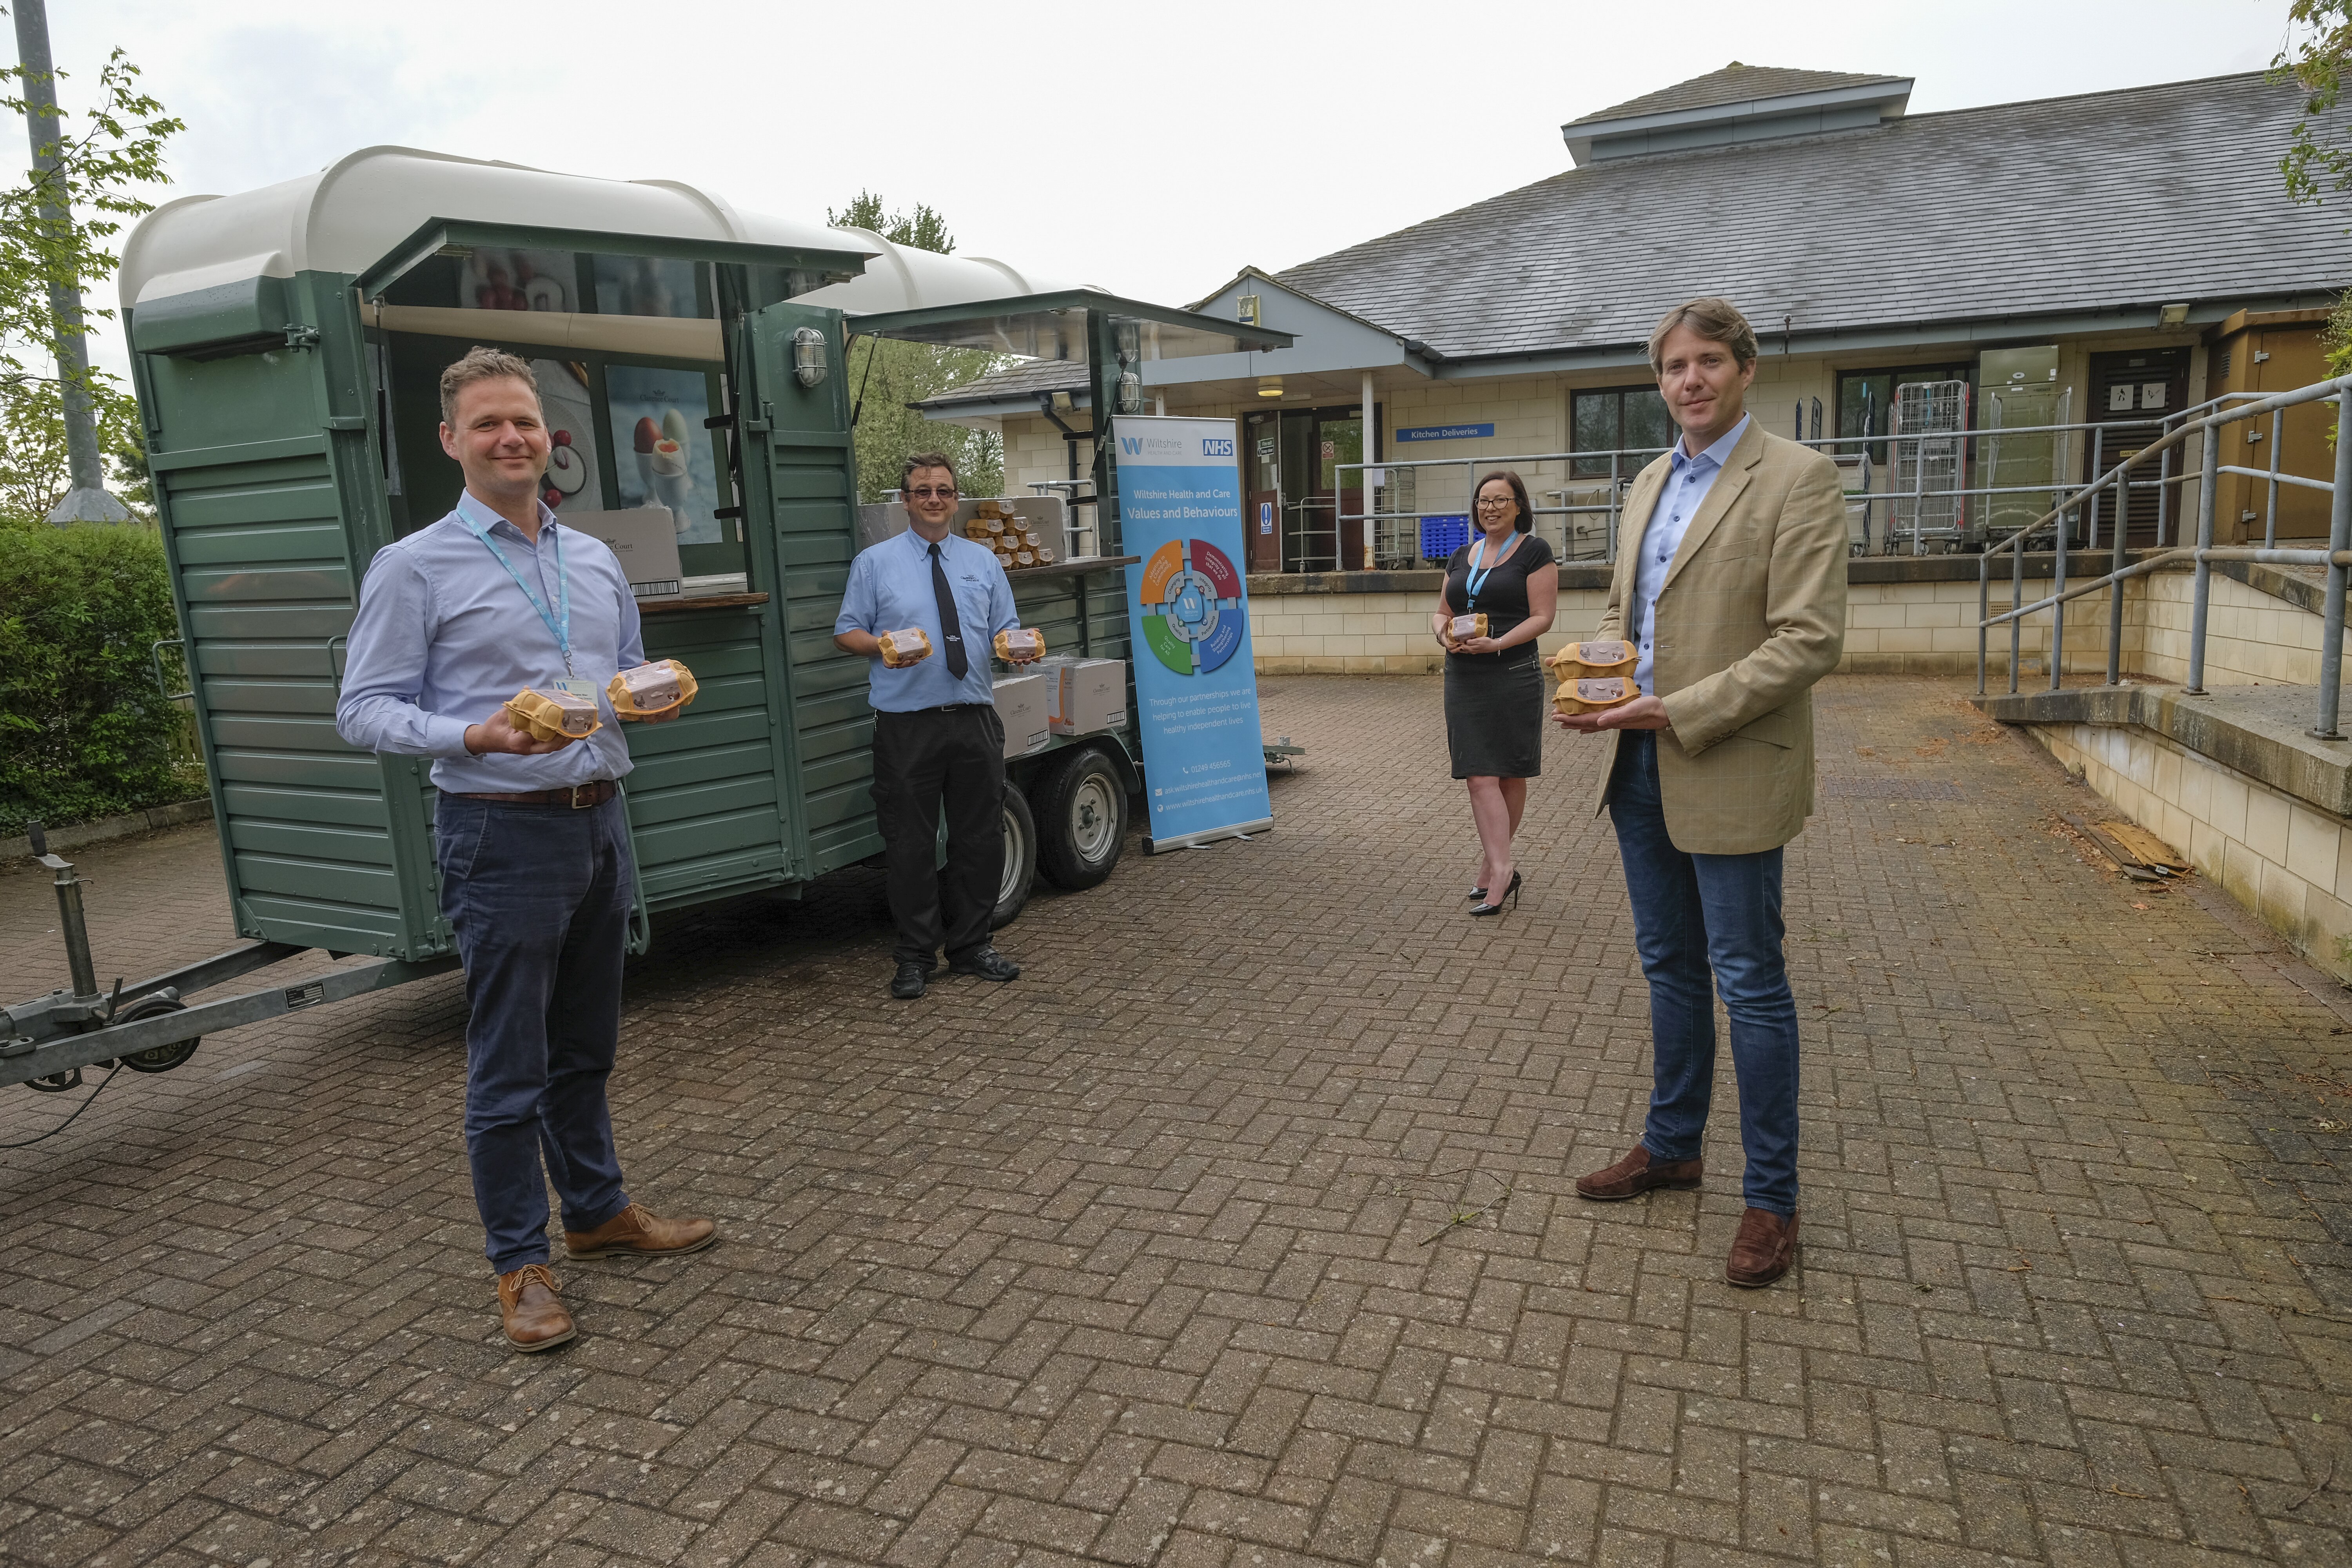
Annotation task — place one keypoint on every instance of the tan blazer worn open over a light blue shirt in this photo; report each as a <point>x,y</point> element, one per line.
<point>1753,612</point>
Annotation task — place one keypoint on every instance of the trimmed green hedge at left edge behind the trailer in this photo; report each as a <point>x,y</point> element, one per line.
<point>83,730</point>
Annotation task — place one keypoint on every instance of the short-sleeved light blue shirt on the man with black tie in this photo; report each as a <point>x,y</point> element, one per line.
<point>890,589</point>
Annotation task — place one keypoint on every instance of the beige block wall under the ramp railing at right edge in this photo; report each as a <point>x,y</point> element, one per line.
<point>2271,852</point>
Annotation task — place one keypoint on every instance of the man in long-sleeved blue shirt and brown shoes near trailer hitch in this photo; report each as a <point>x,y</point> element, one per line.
<point>535,864</point>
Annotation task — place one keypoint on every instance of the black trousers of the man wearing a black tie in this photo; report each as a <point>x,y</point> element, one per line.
<point>928,760</point>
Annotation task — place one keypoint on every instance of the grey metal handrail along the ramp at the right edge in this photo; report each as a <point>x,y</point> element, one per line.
<point>2337,558</point>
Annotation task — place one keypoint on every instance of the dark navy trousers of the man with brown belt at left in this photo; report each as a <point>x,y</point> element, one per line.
<point>540,899</point>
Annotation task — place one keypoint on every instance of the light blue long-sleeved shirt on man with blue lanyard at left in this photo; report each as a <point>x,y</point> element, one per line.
<point>446,636</point>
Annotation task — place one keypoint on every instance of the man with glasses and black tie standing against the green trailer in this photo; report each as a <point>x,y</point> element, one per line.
<point>937,732</point>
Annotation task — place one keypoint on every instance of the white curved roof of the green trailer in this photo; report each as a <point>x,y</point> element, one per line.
<point>352,213</point>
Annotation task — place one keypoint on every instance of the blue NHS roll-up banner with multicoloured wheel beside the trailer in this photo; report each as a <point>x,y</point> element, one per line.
<point>1189,610</point>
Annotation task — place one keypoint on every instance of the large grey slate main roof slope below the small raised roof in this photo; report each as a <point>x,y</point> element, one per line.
<point>2045,208</point>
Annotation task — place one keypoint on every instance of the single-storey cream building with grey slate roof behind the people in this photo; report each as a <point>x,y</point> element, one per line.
<point>2132,248</point>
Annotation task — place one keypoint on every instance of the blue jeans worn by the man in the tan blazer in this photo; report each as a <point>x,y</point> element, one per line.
<point>1695,916</point>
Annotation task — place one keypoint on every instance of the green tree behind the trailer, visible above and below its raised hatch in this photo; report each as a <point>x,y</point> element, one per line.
<point>888,377</point>
